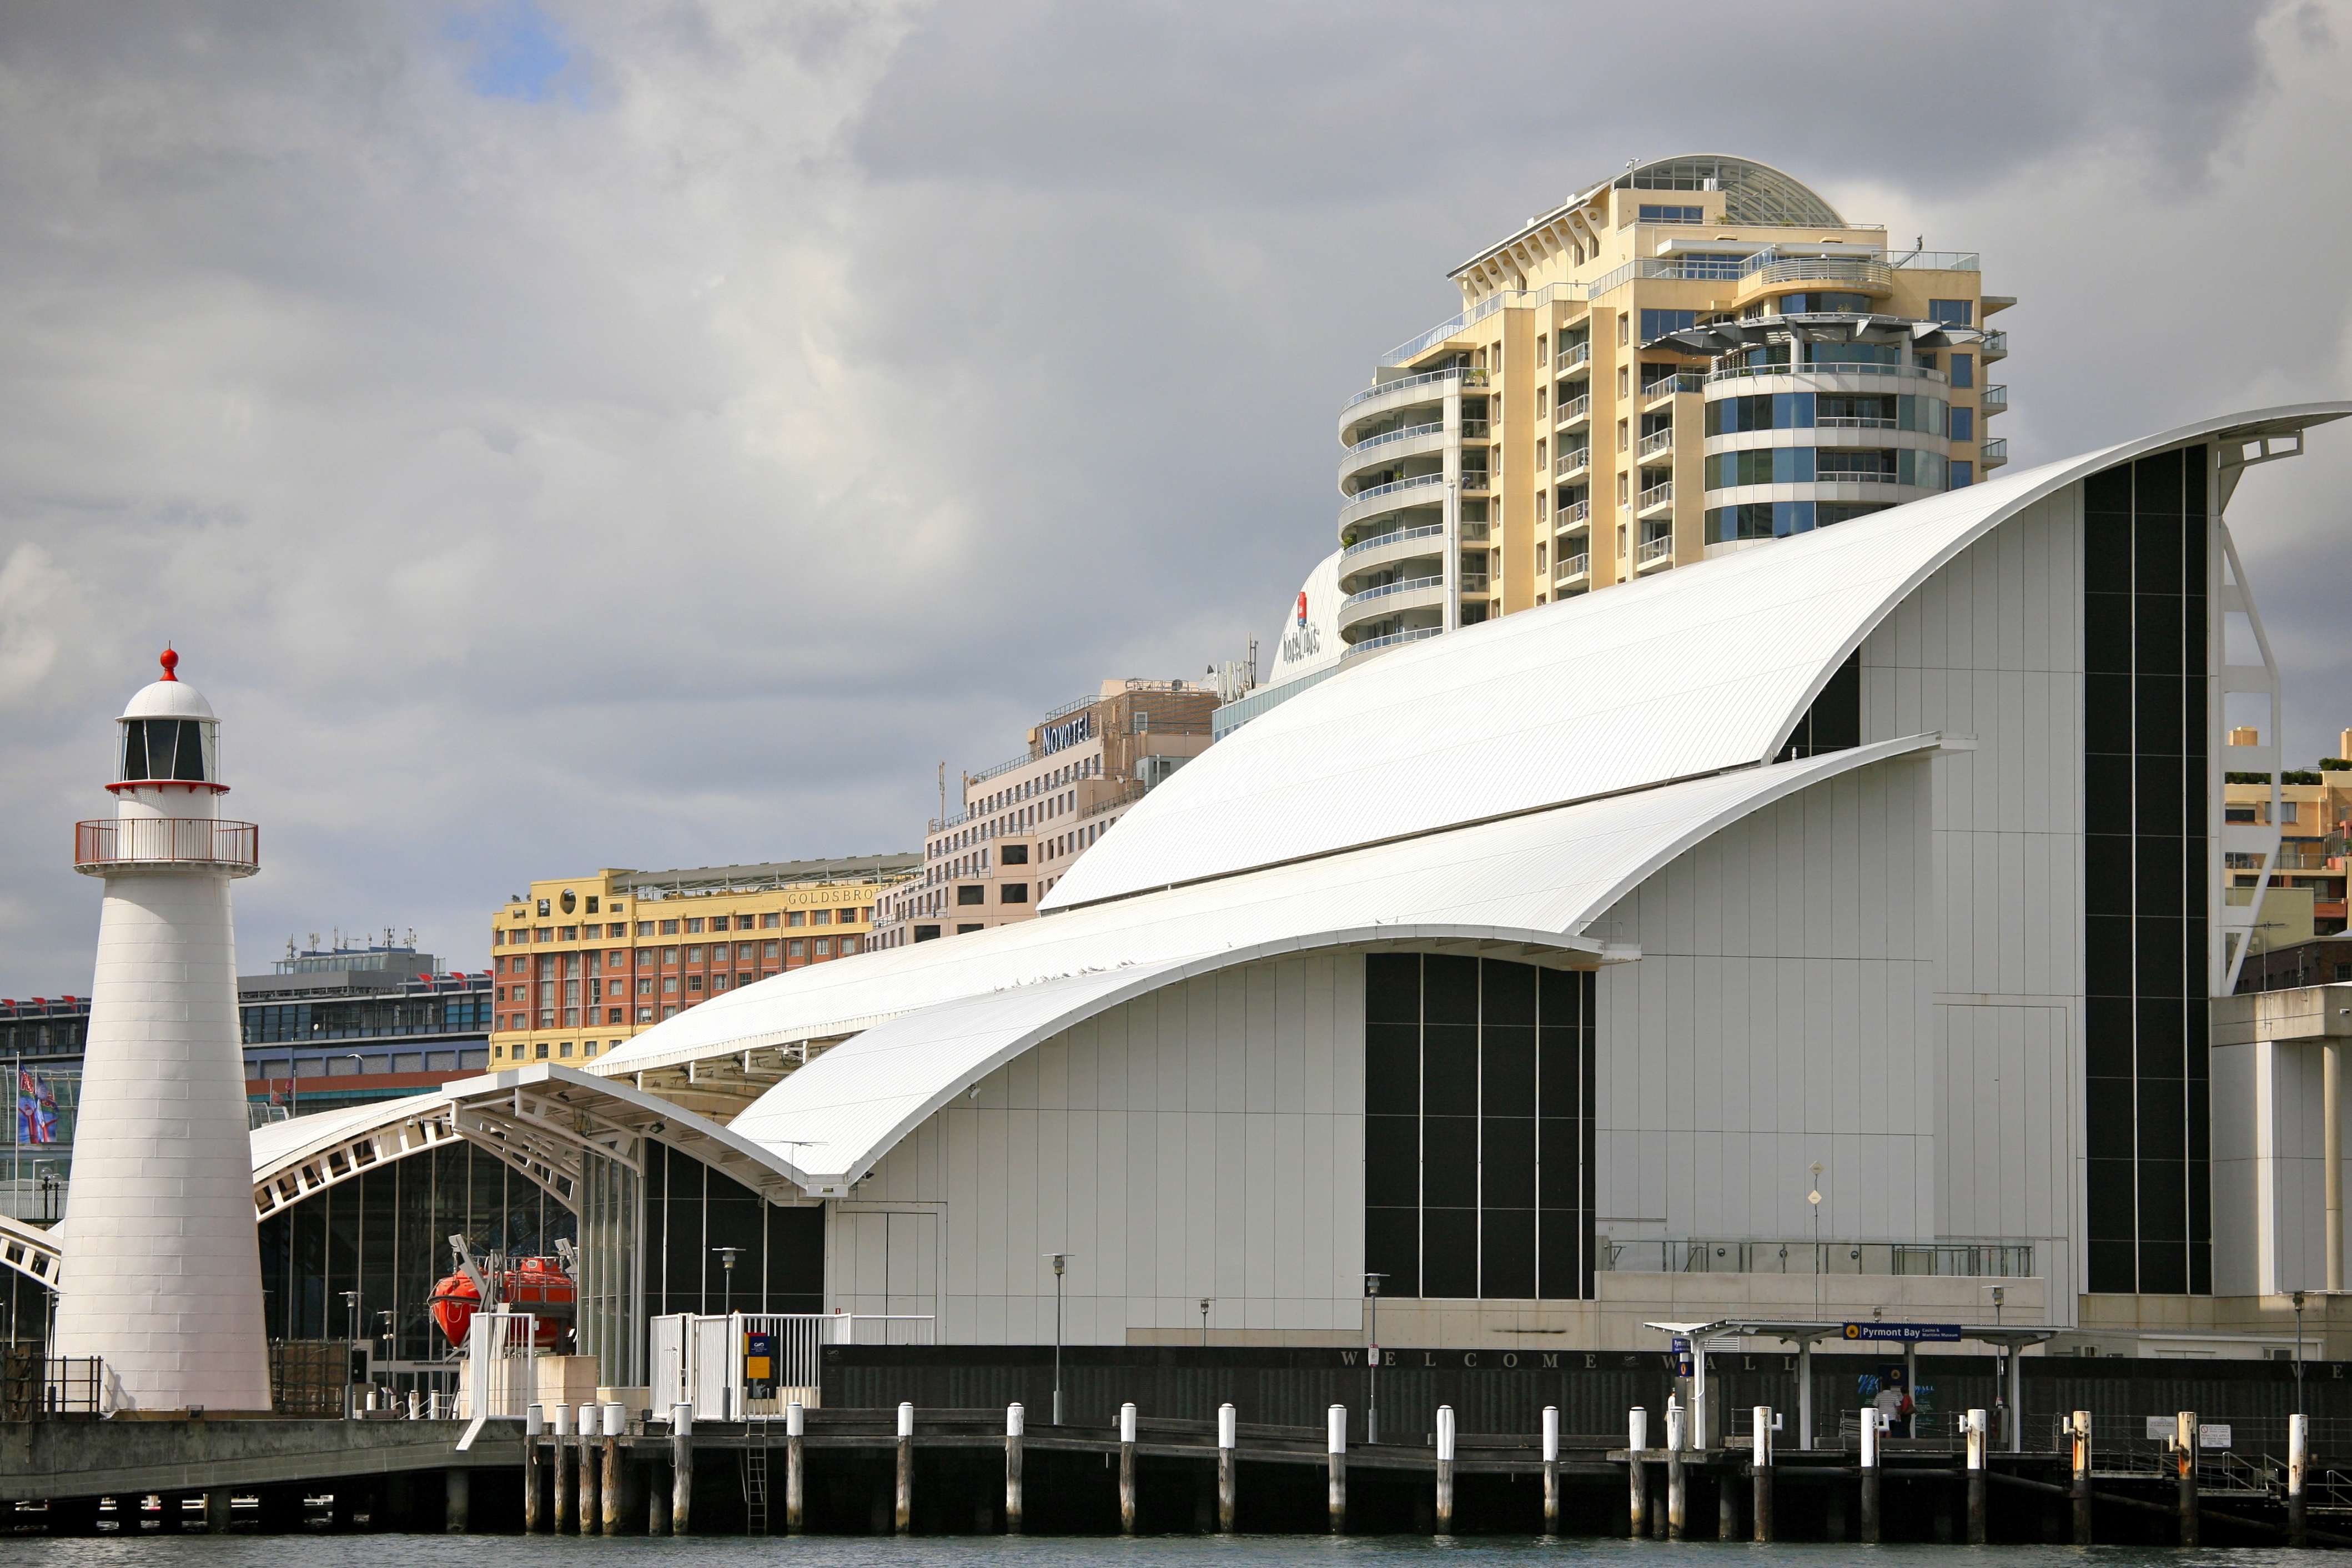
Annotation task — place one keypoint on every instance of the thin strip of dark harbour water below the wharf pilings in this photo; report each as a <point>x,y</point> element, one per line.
<point>1064,1553</point>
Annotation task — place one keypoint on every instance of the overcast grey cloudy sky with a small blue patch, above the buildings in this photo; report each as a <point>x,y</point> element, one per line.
<point>568,436</point>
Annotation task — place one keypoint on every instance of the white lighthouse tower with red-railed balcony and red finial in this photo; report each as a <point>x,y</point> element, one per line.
<point>163,1273</point>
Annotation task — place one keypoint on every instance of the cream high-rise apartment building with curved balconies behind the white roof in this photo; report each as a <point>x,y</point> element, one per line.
<point>1690,359</point>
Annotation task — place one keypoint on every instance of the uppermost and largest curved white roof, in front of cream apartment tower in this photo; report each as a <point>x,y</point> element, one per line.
<point>1685,674</point>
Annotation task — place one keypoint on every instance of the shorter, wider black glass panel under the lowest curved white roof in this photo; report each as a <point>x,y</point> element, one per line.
<point>1478,1127</point>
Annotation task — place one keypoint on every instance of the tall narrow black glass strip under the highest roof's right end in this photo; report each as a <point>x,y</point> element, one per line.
<point>2149,1085</point>
